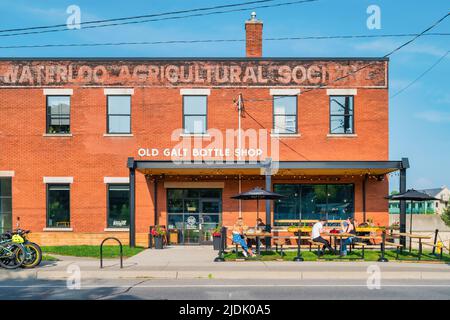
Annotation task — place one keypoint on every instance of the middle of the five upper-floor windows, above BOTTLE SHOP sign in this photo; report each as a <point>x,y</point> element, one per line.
<point>194,114</point>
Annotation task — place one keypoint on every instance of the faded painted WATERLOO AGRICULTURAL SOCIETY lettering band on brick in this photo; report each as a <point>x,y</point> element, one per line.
<point>195,73</point>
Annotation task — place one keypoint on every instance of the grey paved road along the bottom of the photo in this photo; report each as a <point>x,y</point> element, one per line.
<point>224,289</point>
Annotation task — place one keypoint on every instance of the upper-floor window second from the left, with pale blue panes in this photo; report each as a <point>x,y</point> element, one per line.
<point>119,114</point>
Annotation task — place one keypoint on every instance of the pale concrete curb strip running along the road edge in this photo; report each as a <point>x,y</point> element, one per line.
<point>236,275</point>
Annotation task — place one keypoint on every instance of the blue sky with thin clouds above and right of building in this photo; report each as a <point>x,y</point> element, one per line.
<point>419,120</point>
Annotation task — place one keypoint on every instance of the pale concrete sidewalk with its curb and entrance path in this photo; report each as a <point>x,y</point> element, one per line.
<point>197,262</point>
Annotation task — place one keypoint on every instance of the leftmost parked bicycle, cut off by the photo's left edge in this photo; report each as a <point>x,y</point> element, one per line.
<point>12,251</point>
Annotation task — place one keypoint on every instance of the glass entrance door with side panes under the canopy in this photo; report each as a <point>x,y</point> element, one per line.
<point>194,213</point>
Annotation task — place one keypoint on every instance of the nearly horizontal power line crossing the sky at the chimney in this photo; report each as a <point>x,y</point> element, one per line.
<point>62,45</point>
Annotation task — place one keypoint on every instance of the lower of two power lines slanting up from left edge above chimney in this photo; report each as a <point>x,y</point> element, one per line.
<point>164,18</point>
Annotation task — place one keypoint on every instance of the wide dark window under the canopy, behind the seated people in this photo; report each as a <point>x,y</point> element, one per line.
<point>313,201</point>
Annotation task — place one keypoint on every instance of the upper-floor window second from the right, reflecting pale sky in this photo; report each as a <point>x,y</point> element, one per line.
<point>285,114</point>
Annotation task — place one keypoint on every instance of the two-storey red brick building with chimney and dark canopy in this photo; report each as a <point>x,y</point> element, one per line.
<point>77,134</point>
